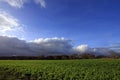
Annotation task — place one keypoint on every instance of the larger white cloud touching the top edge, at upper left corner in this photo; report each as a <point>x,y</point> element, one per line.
<point>15,3</point>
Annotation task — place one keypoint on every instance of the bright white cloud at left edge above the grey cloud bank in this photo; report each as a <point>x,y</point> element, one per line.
<point>9,25</point>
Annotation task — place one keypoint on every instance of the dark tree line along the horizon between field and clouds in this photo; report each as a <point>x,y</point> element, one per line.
<point>112,54</point>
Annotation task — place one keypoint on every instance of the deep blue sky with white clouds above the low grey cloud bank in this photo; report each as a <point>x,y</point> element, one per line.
<point>91,22</point>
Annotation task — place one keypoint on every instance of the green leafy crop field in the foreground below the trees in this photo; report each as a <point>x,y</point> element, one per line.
<point>91,69</point>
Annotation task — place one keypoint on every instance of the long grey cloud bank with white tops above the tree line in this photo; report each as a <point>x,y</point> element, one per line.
<point>10,46</point>
